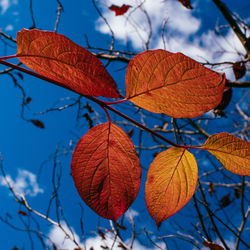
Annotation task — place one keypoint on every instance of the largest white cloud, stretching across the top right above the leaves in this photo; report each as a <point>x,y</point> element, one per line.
<point>180,36</point>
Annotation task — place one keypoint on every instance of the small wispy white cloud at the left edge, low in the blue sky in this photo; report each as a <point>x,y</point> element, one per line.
<point>25,183</point>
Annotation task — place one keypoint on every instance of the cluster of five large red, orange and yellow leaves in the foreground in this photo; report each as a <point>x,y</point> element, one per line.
<point>105,166</point>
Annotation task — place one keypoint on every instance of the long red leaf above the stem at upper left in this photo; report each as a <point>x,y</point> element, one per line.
<point>58,58</point>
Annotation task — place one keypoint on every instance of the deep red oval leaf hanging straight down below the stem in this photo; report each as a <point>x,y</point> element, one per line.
<point>106,170</point>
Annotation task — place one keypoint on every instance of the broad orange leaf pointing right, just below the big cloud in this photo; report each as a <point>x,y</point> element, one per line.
<point>174,84</point>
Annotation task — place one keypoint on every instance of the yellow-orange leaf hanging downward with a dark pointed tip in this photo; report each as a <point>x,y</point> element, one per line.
<point>171,183</point>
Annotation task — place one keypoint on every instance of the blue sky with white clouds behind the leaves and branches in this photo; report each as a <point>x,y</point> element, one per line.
<point>29,152</point>
